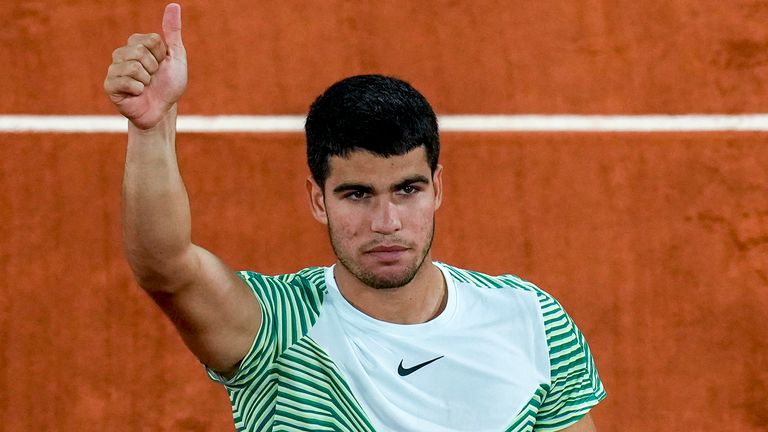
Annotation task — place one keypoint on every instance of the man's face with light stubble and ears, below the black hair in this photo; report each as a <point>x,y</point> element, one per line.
<point>380,214</point>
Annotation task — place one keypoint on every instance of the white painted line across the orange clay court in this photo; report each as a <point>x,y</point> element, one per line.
<point>448,123</point>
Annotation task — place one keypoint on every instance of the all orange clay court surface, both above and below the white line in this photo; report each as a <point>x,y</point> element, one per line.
<point>657,244</point>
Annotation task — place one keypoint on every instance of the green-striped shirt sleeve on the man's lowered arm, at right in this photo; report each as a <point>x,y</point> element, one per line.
<point>575,385</point>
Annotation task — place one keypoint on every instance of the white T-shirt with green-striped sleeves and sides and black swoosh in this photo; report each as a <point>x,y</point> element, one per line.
<point>502,356</point>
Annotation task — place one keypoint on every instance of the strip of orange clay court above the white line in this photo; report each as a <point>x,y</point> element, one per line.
<point>486,56</point>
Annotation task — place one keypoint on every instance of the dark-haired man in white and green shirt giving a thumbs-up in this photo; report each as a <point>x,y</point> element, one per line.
<point>385,339</point>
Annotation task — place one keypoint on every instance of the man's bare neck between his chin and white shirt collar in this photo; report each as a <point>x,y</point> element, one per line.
<point>419,301</point>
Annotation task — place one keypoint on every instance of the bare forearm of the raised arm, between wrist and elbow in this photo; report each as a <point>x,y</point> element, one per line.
<point>156,215</point>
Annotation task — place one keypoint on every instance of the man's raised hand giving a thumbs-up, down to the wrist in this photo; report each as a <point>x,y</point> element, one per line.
<point>149,74</point>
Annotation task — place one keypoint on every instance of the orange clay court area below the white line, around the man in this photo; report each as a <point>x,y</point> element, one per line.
<point>656,245</point>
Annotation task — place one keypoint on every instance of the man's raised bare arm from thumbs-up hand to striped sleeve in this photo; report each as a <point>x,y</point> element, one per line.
<point>213,310</point>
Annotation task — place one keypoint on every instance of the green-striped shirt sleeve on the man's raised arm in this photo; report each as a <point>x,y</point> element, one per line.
<point>288,308</point>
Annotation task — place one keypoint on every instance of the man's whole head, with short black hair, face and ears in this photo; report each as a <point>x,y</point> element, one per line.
<point>372,149</point>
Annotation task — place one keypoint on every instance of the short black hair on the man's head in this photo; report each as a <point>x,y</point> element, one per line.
<point>383,115</point>
